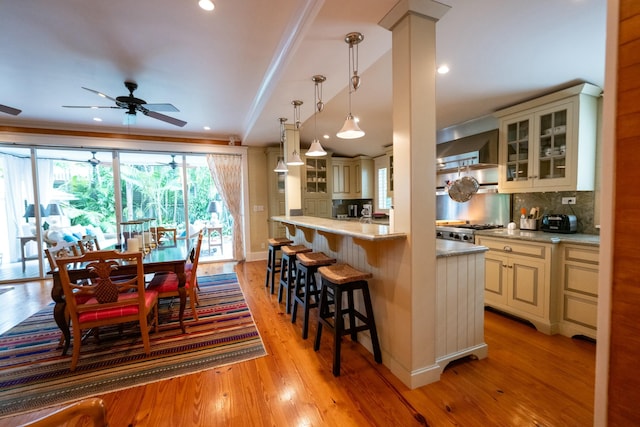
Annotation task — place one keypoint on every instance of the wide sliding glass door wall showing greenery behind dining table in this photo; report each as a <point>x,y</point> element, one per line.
<point>82,192</point>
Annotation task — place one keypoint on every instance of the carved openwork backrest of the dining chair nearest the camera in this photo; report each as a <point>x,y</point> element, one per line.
<point>108,282</point>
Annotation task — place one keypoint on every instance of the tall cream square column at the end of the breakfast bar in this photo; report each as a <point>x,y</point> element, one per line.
<point>413,23</point>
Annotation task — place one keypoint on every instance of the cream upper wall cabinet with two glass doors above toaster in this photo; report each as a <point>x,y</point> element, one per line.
<point>549,144</point>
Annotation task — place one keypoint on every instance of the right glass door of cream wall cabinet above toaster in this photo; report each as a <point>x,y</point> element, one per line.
<point>553,145</point>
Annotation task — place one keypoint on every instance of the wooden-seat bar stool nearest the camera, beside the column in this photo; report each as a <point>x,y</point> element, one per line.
<point>339,279</point>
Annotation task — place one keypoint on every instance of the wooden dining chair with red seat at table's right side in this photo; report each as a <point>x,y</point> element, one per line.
<point>166,283</point>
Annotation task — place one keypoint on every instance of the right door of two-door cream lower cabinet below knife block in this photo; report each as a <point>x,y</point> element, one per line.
<point>527,285</point>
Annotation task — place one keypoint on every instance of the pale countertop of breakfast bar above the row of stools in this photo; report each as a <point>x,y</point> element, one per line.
<point>360,230</point>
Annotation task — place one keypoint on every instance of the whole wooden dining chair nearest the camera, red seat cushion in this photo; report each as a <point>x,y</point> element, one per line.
<point>114,299</point>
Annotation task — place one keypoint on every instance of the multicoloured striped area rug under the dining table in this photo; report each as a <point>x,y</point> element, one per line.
<point>34,374</point>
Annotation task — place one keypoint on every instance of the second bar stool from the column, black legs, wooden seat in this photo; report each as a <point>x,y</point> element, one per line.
<point>308,264</point>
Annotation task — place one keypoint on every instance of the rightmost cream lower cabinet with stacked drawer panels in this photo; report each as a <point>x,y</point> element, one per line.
<point>579,290</point>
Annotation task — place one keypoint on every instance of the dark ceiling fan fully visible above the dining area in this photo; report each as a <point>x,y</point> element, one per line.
<point>133,105</point>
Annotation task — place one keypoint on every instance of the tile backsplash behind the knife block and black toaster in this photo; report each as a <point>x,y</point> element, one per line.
<point>551,203</point>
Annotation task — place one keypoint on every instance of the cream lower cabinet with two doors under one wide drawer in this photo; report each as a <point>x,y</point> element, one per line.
<point>518,280</point>
